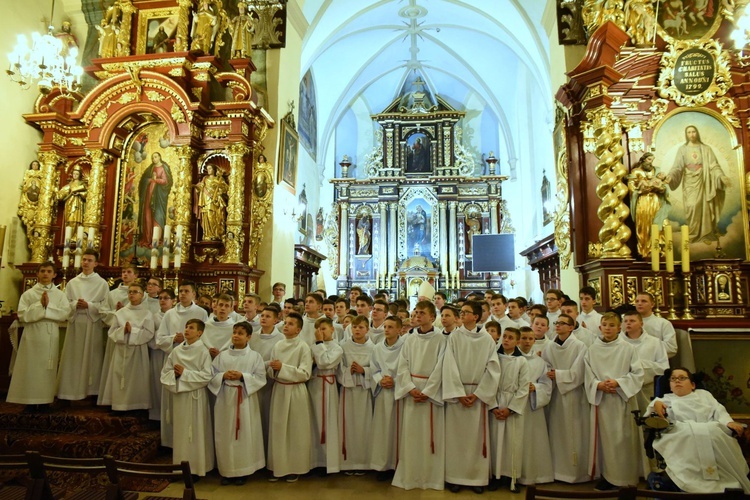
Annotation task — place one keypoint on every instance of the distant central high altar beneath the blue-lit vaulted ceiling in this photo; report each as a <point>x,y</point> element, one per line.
<point>410,218</point>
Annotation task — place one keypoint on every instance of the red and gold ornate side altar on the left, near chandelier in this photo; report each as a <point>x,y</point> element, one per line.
<point>157,165</point>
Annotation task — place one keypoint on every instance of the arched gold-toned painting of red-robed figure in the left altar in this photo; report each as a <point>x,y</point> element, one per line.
<point>146,195</point>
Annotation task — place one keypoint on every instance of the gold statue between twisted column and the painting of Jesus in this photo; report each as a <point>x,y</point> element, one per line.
<point>649,203</point>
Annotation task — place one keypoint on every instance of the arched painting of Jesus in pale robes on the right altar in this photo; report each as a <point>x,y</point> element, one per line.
<point>697,161</point>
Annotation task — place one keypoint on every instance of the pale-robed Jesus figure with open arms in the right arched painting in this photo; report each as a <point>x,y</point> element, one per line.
<point>703,183</point>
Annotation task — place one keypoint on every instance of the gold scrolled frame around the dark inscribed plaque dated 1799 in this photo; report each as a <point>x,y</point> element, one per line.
<point>721,83</point>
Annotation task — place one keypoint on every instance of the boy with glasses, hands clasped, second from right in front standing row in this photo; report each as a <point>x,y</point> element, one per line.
<point>568,432</point>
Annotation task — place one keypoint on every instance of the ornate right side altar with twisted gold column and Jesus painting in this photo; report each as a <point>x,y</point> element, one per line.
<point>654,121</point>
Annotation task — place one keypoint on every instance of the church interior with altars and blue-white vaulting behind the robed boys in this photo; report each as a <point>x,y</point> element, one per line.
<point>515,146</point>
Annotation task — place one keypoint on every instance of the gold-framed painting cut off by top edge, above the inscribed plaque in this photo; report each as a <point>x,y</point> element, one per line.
<point>689,19</point>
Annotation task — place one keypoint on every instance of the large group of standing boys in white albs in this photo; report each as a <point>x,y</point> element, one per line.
<point>471,399</point>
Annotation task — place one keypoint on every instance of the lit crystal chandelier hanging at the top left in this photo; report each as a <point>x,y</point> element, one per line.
<point>48,61</point>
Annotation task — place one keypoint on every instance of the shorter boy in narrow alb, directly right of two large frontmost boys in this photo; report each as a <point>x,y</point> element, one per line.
<point>506,428</point>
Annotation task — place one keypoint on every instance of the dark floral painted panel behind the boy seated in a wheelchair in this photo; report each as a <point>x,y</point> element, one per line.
<point>724,358</point>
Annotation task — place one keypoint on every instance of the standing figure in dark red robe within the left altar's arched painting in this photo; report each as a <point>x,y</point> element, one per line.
<point>153,193</point>
